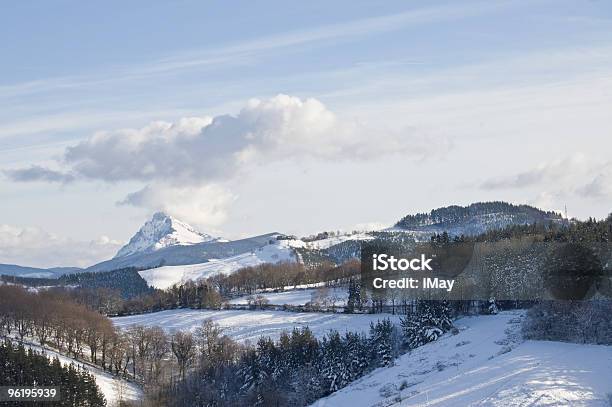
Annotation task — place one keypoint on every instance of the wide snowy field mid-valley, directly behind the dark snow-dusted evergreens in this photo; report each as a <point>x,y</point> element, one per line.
<point>250,325</point>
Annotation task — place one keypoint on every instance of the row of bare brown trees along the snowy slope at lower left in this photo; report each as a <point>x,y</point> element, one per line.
<point>52,320</point>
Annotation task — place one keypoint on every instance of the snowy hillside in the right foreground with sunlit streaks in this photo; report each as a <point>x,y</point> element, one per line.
<point>487,364</point>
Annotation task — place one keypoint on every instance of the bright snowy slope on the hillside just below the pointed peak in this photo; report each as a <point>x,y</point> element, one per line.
<point>165,277</point>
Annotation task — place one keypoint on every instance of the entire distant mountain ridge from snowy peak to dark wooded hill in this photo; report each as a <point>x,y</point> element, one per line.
<point>167,241</point>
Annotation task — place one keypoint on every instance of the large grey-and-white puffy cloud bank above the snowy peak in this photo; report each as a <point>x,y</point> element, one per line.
<point>186,163</point>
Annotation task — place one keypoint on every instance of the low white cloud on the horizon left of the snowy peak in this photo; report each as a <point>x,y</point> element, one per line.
<point>44,249</point>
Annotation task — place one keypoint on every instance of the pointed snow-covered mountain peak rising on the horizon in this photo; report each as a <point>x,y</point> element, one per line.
<point>162,231</point>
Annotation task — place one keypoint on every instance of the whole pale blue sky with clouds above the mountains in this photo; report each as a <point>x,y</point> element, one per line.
<point>245,118</point>
